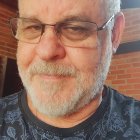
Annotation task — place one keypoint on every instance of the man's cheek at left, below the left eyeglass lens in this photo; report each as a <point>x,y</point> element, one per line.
<point>25,55</point>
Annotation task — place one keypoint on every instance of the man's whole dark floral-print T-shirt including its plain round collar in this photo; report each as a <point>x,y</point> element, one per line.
<point>117,118</point>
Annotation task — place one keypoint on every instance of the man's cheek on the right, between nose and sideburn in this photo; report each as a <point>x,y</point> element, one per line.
<point>85,60</point>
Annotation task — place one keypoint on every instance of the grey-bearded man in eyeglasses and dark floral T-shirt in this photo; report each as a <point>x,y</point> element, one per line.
<point>64,53</point>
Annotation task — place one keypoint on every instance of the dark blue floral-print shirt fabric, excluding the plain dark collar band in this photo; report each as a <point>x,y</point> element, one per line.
<point>121,121</point>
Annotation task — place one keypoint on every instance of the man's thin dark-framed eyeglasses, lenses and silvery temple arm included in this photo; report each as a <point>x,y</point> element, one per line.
<point>70,33</point>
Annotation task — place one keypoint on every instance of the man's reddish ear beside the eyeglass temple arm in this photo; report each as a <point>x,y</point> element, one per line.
<point>117,31</point>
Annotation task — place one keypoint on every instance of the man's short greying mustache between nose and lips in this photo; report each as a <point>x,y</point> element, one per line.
<point>51,68</point>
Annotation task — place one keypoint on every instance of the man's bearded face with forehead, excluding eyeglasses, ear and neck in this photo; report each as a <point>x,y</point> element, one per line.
<point>59,79</point>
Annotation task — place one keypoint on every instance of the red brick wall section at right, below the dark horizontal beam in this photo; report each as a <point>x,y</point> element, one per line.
<point>124,74</point>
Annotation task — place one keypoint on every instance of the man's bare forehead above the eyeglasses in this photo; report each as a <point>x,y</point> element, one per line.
<point>54,10</point>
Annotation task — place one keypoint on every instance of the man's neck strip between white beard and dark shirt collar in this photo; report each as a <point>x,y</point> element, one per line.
<point>70,120</point>
